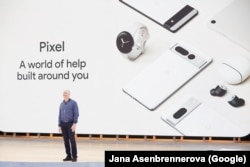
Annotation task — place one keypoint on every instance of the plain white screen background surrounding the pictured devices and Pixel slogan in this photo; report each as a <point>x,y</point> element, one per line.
<point>89,29</point>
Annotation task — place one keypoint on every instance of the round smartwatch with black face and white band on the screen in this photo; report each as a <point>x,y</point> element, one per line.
<point>132,42</point>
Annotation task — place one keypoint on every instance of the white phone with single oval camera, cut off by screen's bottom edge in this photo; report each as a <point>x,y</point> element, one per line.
<point>192,117</point>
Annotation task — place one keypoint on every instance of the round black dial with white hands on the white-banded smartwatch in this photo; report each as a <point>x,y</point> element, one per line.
<point>124,42</point>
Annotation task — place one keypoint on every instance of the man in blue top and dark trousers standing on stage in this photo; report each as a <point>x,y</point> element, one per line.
<point>68,117</point>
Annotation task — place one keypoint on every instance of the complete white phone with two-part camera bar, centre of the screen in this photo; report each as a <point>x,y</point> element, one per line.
<point>165,75</point>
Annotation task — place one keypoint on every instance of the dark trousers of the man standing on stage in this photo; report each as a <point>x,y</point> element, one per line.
<point>69,140</point>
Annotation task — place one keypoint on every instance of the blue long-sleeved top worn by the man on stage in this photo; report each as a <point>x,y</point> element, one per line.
<point>68,112</point>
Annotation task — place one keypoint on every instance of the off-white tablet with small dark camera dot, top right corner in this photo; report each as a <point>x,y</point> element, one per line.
<point>233,22</point>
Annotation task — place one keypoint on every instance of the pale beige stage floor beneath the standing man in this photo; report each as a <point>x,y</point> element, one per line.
<point>18,149</point>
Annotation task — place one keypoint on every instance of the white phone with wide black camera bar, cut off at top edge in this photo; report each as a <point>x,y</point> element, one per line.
<point>171,14</point>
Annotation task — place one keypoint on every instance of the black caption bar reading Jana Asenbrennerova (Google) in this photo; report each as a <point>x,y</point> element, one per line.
<point>176,158</point>
